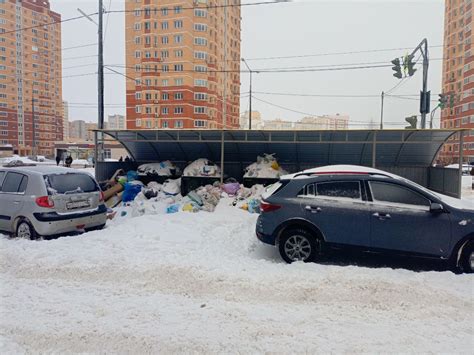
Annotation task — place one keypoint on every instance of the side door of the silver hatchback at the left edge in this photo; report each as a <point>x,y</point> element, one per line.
<point>11,197</point>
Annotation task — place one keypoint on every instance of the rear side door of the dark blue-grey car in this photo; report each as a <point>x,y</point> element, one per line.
<point>338,210</point>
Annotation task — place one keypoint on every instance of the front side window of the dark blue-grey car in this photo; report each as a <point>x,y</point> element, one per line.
<point>396,194</point>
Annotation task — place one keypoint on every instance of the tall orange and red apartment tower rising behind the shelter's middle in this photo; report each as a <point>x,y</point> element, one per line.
<point>184,57</point>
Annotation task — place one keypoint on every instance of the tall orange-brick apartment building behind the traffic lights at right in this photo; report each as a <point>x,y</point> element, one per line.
<point>458,77</point>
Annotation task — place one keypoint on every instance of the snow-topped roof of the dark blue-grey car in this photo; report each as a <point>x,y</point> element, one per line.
<point>340,170</point>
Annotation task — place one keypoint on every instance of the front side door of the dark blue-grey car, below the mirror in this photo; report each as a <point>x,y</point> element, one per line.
<point>401,220</point>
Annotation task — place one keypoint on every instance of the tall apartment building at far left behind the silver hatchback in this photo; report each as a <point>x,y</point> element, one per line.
<point>31,108</point>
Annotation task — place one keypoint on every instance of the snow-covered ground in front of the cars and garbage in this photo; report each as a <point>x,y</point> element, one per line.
<point>203,283</point>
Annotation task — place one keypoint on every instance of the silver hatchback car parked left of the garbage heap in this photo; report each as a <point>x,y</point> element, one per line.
<point>40,201</point>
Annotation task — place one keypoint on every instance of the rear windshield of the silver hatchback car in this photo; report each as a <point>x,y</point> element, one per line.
<point>70,183</point>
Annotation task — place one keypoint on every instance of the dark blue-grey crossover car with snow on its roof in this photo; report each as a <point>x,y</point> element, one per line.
<point>339,206</point>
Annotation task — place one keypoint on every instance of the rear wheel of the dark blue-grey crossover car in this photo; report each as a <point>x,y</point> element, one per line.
<point>299,245</point>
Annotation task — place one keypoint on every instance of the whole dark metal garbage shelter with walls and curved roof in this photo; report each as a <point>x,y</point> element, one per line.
<point>408,153</point>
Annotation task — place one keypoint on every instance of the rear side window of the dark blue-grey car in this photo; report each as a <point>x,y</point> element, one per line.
<point>344,189</point>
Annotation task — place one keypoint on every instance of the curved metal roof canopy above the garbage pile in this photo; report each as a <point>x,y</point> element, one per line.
<point>300,149</point>
